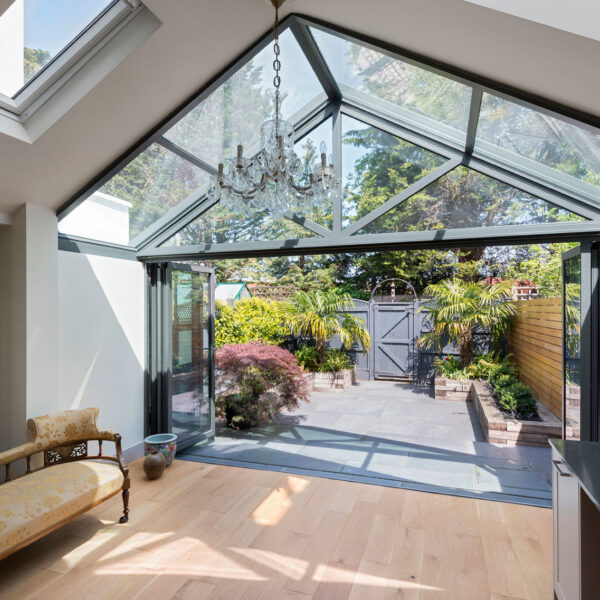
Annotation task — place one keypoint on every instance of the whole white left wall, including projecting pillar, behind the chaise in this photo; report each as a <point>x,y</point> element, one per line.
<point>71,331</point>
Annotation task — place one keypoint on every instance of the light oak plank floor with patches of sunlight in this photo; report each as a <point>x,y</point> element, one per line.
<point>205,531</point>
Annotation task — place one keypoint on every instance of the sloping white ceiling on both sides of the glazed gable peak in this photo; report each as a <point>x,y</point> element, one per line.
<point>199,37</point>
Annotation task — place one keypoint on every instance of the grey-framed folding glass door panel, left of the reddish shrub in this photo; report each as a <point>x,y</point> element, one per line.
<point>190,396</point>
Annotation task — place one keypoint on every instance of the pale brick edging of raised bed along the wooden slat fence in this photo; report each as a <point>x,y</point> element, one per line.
<point>501,429</point>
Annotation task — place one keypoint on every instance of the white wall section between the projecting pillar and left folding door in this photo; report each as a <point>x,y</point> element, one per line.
<point>101,343</point>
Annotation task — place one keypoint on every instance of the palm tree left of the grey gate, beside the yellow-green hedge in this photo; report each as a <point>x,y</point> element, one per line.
<point>321,315</point>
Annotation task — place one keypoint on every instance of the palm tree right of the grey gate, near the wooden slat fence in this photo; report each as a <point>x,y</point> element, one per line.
<point>458,306</point>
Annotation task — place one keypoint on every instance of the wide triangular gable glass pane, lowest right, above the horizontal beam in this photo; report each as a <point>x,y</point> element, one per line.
<point>466,198</point>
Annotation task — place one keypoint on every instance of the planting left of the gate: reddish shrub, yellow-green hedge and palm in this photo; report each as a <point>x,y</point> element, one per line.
<point>272,354</point>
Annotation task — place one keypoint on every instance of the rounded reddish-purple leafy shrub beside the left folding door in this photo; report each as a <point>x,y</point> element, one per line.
<point>256,381</point>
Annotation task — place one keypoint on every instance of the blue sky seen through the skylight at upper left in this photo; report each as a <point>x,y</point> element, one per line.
<point>51,24</point>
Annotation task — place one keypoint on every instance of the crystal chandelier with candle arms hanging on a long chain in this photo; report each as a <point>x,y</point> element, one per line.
<point>274,179</point>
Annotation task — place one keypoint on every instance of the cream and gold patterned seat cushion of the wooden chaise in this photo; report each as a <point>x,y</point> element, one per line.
<point>35,503</point>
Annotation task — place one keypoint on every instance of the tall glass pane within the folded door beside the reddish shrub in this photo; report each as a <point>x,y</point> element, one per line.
<point>191,404</point>
